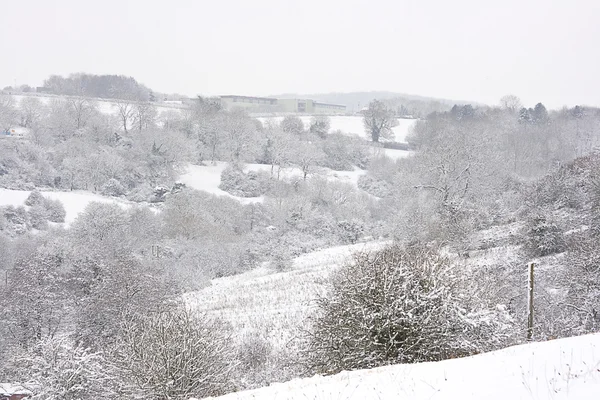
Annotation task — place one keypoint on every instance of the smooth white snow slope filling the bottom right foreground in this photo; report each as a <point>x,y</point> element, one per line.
<point>559,369</point>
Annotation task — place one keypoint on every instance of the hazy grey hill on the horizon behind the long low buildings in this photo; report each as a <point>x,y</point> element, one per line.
<point>407,103</point>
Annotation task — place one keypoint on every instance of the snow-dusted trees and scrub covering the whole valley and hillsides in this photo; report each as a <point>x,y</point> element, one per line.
<point>95,310</point>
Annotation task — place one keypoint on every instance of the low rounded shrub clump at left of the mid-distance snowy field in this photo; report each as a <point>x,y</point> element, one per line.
<point>252,184</point>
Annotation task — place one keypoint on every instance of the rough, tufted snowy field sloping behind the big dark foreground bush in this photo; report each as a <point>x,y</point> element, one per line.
<point>273,304</point>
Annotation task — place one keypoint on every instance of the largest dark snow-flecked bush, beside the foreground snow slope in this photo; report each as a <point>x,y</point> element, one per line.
<point>392,306</point>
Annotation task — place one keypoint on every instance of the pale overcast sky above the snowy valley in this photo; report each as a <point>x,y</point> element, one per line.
<point>540,50</point>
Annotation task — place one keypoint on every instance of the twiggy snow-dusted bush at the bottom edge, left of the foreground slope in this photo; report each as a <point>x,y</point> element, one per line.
<point>176,355</point>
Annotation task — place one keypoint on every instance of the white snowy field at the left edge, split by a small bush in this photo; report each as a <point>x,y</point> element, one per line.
<point>74,202</point>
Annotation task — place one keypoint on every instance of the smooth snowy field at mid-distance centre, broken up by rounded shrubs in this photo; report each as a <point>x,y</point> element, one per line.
<point>207,178</point>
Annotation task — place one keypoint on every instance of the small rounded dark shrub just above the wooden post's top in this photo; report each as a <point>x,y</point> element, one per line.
<point>543,237</point>
